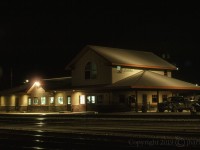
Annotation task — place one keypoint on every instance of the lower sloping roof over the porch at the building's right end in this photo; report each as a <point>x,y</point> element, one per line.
<point>152,80</point>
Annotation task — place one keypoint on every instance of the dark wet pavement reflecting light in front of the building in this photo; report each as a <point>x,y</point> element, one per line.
<point>91,130</point>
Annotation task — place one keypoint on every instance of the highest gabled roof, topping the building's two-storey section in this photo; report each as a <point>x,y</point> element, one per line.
<point>126,57</point>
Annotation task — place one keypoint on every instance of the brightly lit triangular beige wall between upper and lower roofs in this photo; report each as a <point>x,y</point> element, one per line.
<point>124,73</point>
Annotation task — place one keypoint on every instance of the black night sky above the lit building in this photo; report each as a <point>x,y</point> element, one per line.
<point>38,38</point>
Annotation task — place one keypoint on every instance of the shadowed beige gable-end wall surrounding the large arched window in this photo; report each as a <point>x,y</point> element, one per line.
<point>103,70</point>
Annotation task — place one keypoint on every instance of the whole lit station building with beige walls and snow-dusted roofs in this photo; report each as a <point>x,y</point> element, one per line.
<point>102,79</point>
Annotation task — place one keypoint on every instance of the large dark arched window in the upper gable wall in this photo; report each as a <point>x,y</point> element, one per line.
<point>90,71</point>
